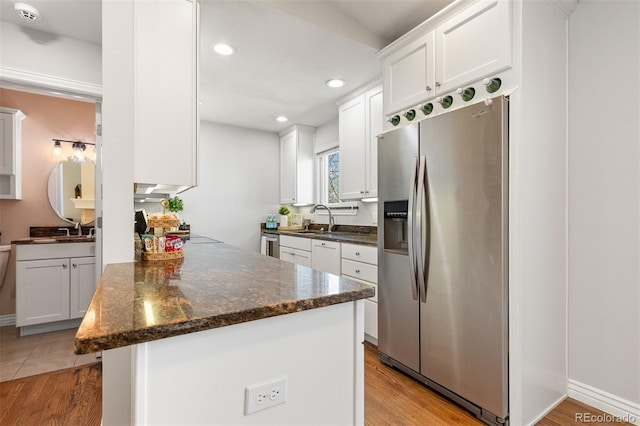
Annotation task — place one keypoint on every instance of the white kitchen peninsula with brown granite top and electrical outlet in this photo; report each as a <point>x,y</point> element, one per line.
<point>182,342</point>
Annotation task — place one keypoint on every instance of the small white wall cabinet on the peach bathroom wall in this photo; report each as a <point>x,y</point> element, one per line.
<point>11,153</point>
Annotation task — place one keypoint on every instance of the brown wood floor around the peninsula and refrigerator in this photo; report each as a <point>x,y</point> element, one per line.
<point>73,397</point>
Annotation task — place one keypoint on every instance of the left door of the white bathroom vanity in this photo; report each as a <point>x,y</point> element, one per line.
<point>42,291</point>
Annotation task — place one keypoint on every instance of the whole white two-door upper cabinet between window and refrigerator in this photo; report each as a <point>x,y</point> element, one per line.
<point>360,121</point>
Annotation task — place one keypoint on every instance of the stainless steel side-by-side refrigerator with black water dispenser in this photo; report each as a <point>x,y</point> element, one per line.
<point>442,242</point>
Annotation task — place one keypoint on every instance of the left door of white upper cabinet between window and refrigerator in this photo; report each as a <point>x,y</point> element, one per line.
<point>351,119</point>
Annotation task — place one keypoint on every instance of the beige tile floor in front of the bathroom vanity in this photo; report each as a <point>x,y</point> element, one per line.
<point>38,353</point>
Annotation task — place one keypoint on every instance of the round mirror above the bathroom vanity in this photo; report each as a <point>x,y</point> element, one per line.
<point>72,191</point>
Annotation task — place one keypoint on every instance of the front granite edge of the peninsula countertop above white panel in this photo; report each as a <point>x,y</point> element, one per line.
<point>149,334</point>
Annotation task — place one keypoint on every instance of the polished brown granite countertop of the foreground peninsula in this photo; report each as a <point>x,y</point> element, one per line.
<point>215,285</point>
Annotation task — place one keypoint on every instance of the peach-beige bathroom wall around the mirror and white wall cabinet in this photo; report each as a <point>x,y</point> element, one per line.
<point>47,118</point>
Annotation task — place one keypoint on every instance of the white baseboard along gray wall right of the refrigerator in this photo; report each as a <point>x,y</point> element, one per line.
<point>620,409</point>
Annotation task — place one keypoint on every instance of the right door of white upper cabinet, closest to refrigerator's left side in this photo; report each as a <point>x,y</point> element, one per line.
<point>375,125</point>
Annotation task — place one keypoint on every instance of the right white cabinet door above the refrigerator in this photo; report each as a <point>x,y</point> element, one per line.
<point>473,44</point>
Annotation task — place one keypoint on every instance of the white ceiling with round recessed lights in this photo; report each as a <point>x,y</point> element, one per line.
<point>286,51</point>
